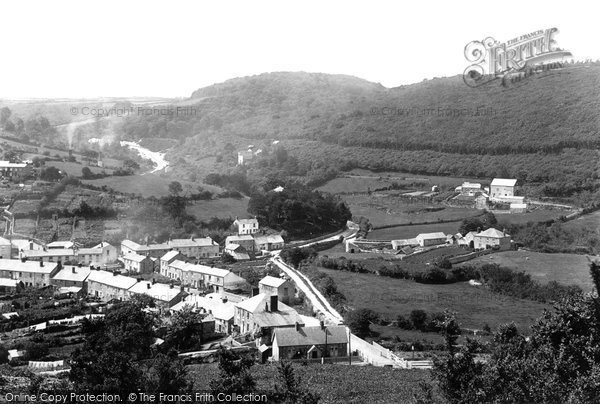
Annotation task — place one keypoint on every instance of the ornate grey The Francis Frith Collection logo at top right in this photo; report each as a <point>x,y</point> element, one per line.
<point>511,61</point>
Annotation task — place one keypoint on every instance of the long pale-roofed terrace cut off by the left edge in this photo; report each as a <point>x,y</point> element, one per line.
<point>31,273</point>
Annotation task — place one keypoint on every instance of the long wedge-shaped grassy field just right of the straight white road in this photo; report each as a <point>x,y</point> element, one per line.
<point>475,306</point>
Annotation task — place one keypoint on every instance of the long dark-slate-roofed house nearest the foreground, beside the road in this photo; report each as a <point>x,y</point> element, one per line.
<point>310,342</point>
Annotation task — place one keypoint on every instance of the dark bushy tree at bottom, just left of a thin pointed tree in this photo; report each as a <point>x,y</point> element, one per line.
<point>234,373</point>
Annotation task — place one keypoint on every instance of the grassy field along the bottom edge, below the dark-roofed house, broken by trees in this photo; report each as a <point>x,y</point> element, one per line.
<point>334,383</point>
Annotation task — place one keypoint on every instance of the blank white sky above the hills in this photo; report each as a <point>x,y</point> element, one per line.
<point>171,48</point>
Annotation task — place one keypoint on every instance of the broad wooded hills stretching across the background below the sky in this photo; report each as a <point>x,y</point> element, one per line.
<point>489,130</point>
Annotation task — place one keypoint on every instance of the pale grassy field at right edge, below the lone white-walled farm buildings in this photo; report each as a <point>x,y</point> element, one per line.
<point>567,269</point>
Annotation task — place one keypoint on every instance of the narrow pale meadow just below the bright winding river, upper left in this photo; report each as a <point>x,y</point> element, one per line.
<point>146,185</point>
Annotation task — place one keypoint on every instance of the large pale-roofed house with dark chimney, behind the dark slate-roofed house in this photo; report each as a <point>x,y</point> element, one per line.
<point>261,314</point>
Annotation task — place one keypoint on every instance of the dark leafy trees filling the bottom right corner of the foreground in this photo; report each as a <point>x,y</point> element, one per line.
<point>558,362</point>
